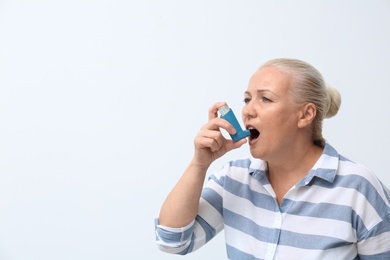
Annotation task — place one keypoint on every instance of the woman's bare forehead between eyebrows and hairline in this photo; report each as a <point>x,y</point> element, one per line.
<point>269,78</point>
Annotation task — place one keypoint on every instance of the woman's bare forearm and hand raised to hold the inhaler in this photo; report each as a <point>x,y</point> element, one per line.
<point>181,206</point>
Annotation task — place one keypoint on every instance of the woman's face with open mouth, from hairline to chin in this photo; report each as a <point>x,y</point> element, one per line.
<point>270,114</point>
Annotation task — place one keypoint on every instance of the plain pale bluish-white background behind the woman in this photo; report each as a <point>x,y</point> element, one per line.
<point>100,102</point>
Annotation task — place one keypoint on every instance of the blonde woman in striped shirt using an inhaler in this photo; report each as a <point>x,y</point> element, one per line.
<point>297,198</point>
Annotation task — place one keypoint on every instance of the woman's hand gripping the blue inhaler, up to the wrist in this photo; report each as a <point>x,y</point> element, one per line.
<point>209,143</point>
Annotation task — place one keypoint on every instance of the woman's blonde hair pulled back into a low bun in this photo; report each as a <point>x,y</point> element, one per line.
<point>308,86</point>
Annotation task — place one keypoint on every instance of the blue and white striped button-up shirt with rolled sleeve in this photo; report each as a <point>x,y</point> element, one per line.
<point>339,210</point>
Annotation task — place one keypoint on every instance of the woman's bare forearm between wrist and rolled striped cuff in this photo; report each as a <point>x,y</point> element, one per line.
<point>181,205</point>
